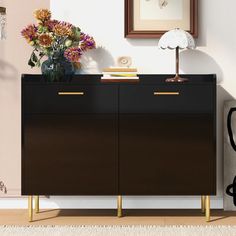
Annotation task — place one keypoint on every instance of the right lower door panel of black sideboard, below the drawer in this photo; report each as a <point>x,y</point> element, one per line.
<point>167,154</point>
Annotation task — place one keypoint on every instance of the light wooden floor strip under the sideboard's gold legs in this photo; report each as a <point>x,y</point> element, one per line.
<point>108,217</point>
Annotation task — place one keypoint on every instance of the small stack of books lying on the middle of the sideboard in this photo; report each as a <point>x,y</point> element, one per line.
<point>120,74</point>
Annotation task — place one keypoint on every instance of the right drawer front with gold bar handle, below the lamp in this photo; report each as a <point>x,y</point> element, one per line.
<point>167,98</point>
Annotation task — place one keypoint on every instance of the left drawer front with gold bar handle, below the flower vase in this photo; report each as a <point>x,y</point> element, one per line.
<point>51,98</point>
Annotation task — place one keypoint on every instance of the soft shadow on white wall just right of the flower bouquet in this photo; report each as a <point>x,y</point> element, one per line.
<point>94,61</point>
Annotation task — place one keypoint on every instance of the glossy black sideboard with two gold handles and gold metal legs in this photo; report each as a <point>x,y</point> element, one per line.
<point>87,137</point>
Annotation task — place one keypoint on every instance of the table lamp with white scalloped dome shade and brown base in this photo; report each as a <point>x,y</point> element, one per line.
<point>176,39</point>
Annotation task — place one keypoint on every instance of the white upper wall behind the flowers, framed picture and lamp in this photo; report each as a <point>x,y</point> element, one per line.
<point>104,19</point>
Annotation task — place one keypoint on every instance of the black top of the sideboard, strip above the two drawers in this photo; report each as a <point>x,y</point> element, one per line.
<point>144,79</point>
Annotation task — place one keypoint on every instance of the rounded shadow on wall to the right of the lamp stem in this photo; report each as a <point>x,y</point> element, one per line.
<point>198,62</point>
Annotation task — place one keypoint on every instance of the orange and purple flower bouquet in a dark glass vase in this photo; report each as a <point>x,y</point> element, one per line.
<point>61,42</point>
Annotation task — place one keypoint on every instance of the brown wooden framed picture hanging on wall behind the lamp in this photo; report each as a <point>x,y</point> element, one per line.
<point>152,18</point>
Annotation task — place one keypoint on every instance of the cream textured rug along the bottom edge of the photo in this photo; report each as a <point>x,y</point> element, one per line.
<point>118,231</point>
